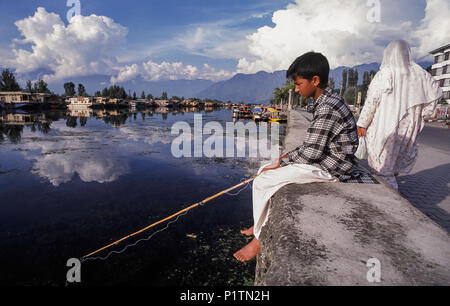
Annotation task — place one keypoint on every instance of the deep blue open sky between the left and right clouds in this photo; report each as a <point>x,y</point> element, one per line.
<point>153,22</point>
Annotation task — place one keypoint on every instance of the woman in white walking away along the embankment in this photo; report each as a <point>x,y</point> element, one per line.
<point>399,97</point>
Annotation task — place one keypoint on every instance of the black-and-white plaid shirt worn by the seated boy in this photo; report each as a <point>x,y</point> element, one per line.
<point>331,141</point>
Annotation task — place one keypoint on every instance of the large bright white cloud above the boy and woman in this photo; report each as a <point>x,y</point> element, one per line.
<point>342,32</point>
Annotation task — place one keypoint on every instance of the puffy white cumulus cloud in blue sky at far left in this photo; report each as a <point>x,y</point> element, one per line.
<point>80,48</point>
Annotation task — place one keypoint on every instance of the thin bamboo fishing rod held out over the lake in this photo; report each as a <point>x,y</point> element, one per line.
<point>171,217</point>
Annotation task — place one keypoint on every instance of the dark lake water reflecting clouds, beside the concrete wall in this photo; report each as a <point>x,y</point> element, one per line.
<point>74,181</point>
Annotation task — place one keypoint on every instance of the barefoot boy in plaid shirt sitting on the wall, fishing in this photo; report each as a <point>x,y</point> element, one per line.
<point>327,154</point>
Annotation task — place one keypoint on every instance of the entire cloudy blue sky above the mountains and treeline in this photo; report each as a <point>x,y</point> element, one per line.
<point>175,39</point>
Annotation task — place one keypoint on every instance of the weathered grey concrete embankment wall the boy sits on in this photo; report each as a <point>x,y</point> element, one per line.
<point>348,234</point>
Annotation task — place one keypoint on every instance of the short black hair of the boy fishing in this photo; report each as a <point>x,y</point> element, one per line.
<point>309,65</point>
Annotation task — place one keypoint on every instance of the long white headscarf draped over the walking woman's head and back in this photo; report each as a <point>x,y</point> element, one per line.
<point>402,84</point>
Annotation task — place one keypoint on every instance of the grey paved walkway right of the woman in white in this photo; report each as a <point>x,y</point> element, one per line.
<point>427,187</point>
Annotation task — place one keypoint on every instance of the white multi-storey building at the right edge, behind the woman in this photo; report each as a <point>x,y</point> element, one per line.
<point>441,69</point>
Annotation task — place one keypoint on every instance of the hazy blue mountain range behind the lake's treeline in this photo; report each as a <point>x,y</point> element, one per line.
<point>247,88</point>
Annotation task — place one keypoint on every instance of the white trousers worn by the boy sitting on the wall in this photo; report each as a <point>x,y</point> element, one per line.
<point>269,182</point>
